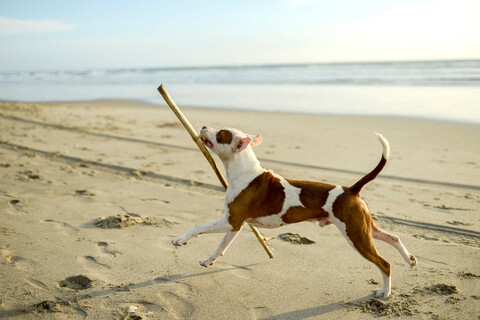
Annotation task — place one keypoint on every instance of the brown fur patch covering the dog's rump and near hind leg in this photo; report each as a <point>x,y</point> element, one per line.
<point>349,209</point>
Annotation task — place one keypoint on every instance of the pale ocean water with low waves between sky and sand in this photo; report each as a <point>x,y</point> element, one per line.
<point>442,90</point>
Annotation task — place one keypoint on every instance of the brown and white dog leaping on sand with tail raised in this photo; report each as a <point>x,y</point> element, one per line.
<point>266,200</point>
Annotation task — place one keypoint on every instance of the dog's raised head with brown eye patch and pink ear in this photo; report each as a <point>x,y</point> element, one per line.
<point>227,141</point>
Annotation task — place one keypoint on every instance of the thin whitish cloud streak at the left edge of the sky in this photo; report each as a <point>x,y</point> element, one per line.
<point>12,26</point>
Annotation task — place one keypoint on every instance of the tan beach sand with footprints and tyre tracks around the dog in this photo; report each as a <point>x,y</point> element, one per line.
<point>92,193</point>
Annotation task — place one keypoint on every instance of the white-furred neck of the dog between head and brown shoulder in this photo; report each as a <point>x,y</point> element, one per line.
<point>242,165</point>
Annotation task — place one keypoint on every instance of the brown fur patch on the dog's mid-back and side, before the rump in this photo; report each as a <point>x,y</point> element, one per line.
<point>313,196</point>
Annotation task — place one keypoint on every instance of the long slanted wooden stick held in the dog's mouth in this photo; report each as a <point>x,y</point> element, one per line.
<point>196,137</point>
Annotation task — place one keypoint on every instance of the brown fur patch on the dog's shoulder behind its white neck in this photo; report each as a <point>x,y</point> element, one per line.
<point>264,196</point>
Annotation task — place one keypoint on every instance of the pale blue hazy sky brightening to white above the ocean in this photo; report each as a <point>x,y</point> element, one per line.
<point>63,34</point>
